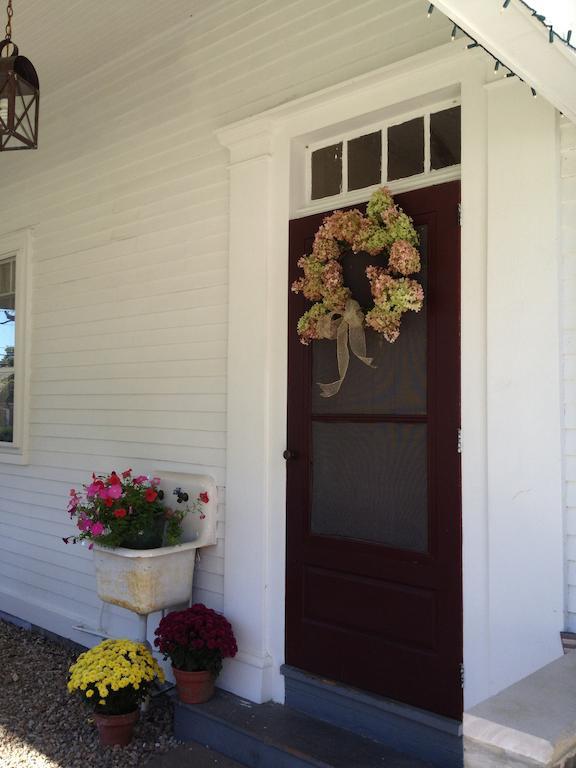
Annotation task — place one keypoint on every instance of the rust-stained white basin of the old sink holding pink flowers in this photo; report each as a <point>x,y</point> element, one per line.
<point>147,580</point>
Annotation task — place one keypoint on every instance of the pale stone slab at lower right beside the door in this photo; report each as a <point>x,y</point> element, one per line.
<point>531,724</point>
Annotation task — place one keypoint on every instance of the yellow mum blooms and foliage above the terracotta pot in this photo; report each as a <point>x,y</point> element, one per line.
<point>114,676</point>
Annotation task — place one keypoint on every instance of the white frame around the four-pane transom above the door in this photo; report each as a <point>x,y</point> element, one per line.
<point>346,196</point>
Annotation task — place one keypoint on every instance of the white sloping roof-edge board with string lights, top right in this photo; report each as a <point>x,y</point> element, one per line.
<point>519,40</point>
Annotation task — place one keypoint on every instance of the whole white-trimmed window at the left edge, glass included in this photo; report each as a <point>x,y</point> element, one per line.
<point>14,251</point>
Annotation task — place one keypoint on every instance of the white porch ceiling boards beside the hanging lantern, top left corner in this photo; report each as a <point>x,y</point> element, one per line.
<point>67,39</point>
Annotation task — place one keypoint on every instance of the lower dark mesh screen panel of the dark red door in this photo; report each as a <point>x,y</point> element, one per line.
<point>369,482</point>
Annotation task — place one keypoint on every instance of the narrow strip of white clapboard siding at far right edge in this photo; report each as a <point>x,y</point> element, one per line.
<point>568,287</point>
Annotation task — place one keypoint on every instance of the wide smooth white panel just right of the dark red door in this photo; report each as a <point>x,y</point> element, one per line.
<point>524,445</point>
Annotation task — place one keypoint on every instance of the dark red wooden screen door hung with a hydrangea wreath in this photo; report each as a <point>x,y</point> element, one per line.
<point>374,595</point>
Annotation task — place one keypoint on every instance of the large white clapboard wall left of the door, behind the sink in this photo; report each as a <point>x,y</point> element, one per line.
<point>128,200</point>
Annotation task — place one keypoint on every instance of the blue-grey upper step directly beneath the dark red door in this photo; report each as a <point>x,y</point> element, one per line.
<point>425,735</point>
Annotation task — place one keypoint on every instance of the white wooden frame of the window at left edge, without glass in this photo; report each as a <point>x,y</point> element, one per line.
<point>18,245</point>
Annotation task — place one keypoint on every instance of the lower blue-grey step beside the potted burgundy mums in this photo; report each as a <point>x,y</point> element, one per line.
<point>273,736</point>
